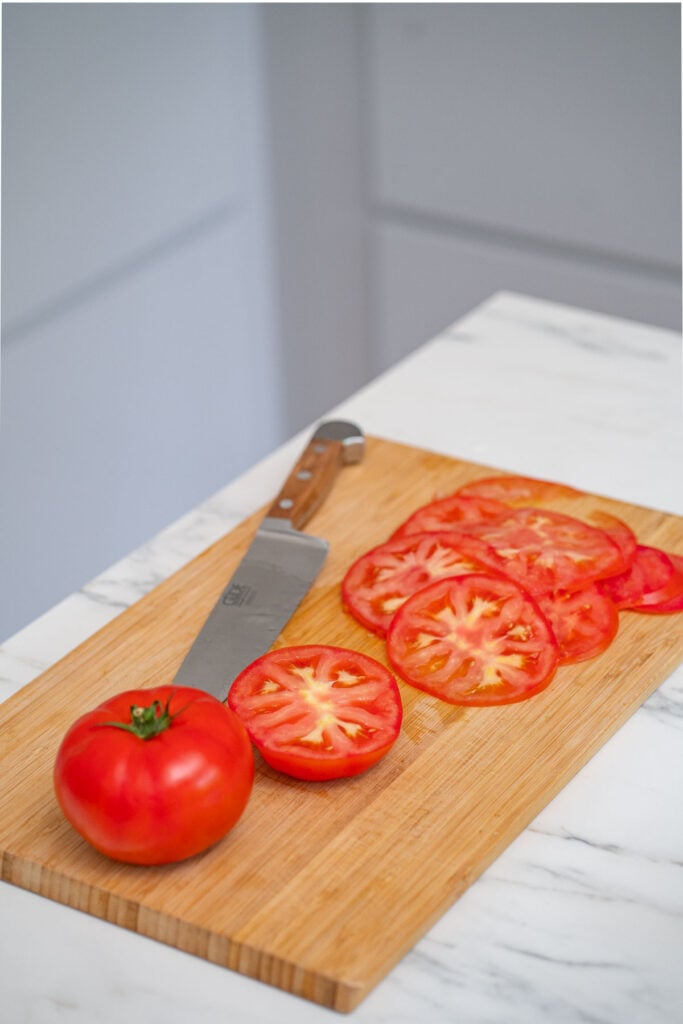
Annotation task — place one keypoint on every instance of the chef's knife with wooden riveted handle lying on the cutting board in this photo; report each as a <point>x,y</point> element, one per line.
<point>277,571</point>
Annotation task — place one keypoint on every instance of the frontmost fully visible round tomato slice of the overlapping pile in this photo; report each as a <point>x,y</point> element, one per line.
<point>476,639</point>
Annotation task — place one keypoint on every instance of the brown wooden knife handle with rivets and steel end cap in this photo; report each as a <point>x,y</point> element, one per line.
<point>334,445</point>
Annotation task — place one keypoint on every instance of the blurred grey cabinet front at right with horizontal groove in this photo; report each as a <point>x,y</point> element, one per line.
<point>525,147</point>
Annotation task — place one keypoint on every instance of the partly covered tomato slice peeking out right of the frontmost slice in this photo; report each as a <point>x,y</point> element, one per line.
<point>585,622</point>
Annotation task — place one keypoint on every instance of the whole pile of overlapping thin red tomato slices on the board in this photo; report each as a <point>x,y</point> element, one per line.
<point>484,594</point>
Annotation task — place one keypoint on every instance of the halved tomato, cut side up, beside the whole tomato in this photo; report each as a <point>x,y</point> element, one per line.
<point>318,712</point>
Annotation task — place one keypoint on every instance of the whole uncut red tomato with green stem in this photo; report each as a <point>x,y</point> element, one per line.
<point>160,799</point>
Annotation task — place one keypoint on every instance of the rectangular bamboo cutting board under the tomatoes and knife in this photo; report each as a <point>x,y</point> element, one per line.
<point>322,888</point>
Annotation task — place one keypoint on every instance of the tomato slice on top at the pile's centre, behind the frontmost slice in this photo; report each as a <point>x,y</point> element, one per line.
<point>545,551</point>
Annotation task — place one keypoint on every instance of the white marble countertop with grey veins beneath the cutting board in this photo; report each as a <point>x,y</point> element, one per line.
<point>581,920</point>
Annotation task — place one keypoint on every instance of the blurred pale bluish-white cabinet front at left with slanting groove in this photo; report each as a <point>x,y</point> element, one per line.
<point>140,370</point>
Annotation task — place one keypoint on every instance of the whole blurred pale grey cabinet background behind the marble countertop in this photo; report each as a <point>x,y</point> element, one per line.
<point>221,220</point>
